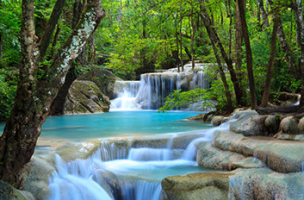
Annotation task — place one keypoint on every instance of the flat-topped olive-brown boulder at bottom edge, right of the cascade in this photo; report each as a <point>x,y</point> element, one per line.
<point>213,186</point>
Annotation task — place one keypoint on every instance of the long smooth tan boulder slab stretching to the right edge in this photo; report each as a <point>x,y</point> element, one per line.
<point>278,155</point>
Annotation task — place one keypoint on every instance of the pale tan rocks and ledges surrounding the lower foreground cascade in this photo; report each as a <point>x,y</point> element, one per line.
<point>259,157</point>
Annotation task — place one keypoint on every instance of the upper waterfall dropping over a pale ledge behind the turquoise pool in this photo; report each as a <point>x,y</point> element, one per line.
<point>153,88</point>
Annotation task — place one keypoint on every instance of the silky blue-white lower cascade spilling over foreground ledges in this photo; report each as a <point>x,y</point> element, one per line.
<point>117,170</point>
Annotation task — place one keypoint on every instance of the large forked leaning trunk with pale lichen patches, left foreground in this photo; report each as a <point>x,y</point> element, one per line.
<point>35,95</point>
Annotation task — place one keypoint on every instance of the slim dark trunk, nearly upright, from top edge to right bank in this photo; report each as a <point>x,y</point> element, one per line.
<point>248,55</point>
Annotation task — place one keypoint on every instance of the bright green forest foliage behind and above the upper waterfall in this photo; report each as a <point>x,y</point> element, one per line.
<point>140,36</point>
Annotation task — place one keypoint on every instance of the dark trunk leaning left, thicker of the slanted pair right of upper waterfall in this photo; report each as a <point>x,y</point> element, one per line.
<point>216,40</point>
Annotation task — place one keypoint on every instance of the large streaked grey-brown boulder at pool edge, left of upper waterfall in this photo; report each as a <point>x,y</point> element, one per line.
<point>85,97</point>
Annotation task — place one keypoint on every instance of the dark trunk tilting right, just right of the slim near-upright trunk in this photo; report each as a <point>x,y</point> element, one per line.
<point>271,60</point>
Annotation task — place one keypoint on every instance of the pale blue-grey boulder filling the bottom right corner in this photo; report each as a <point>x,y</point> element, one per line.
<point>264,184</point>
